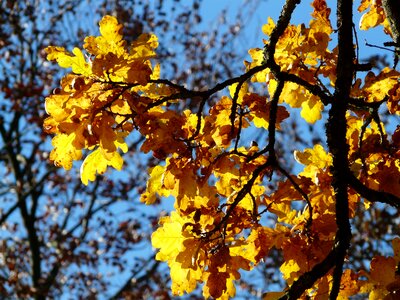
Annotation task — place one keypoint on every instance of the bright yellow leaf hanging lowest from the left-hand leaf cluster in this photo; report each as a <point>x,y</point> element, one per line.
<point>96,162</point>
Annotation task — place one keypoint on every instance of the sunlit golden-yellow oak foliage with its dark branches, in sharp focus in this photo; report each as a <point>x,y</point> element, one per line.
<point>218,181</point>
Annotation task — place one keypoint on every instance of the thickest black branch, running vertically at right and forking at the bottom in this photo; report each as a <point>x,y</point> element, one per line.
<point>336,139</point>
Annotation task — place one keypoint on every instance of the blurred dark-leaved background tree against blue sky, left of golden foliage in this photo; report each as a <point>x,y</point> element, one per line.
<point>57,236</point>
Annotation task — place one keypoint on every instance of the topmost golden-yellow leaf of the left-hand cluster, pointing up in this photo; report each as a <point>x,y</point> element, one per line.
<point>110,40</point>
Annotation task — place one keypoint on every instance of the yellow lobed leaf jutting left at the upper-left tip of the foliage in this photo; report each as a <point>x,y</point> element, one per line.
<point>66,60</point>
